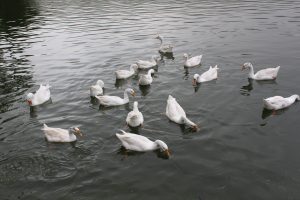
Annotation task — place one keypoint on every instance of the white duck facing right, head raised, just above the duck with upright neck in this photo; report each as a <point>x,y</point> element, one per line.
<point>106,100</point>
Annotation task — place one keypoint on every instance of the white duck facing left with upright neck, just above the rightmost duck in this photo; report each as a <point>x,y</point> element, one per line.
<point>264,74</point>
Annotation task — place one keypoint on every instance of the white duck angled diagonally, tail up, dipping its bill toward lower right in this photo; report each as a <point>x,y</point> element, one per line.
<point>176,113</point>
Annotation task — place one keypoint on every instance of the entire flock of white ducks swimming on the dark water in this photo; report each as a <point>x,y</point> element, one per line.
<point>135,118</point>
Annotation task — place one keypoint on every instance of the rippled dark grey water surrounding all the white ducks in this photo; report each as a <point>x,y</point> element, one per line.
<point>240,152</point>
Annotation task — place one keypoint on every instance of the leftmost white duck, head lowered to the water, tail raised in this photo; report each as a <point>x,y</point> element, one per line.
<point>41,96</point>
